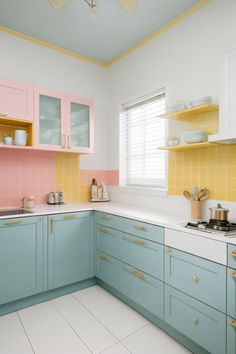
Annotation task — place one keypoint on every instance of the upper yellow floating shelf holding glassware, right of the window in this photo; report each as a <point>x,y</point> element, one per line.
<point>190,112</point>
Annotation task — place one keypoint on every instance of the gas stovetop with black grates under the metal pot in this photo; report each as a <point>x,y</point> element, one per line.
<point>223,228</point>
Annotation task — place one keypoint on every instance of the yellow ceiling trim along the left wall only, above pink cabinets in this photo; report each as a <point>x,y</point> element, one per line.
<point>52,46</point>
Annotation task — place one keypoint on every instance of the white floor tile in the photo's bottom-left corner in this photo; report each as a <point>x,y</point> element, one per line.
<point>13,339</point>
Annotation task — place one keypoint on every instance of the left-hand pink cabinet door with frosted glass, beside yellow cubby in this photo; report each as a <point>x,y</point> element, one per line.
<point>50,120</point>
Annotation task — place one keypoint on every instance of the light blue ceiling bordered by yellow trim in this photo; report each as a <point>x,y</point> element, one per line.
<point>102,37</point>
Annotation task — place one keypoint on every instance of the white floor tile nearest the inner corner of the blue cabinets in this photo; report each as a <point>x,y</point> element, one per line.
<point>119,318</point>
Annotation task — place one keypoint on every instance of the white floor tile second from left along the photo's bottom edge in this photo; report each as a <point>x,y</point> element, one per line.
<point>49,332</point>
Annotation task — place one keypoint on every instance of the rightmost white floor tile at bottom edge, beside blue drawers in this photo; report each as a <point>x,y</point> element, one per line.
<point>152,340</point>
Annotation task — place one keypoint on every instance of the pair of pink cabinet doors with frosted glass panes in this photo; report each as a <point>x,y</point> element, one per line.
<point>63,122</point>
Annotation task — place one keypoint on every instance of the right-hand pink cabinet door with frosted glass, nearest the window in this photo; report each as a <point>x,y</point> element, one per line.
<point>80,125</point>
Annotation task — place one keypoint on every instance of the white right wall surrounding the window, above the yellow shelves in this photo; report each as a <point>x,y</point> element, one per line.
<point>185,59</point>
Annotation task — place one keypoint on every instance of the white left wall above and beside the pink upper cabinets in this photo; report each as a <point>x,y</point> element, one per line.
<point>27,62</point>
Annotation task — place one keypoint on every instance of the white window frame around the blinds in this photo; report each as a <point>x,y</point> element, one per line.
<point>144,189</point>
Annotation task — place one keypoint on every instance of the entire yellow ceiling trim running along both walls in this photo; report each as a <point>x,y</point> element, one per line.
<point>147,39</point>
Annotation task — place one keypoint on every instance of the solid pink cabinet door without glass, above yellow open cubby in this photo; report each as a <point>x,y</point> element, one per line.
<point>16,100</point>
